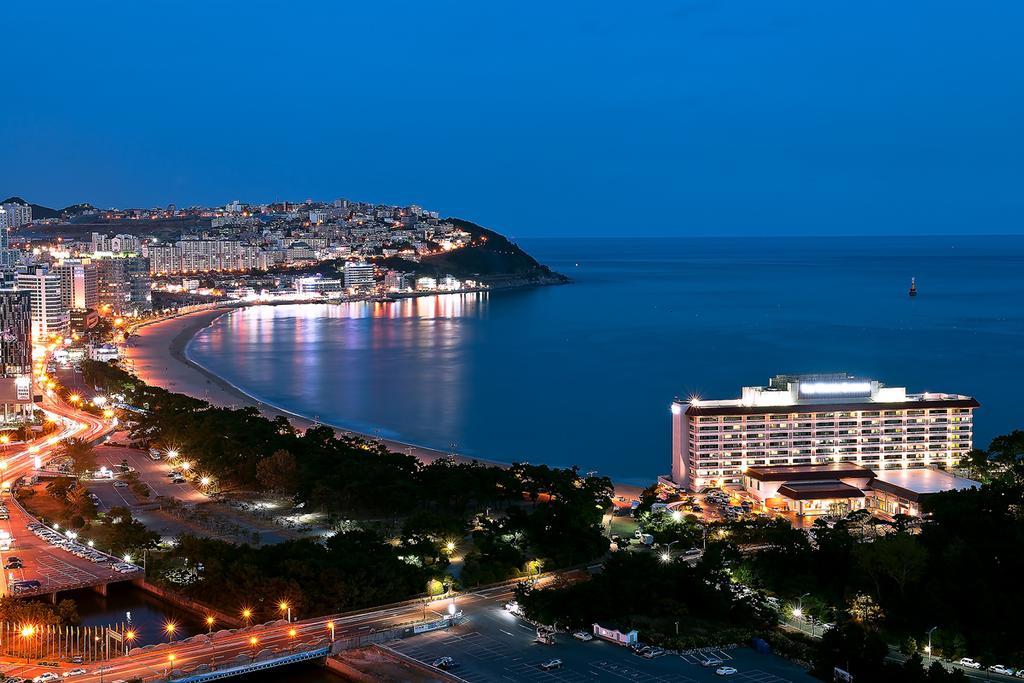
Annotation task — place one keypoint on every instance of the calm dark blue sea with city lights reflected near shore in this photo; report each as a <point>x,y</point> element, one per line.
<point>584,374</point>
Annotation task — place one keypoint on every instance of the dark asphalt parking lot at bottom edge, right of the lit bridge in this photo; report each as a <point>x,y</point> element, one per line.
<point>495,646</point>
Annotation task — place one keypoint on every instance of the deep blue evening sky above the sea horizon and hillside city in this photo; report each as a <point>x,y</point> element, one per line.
<point>562,118</point>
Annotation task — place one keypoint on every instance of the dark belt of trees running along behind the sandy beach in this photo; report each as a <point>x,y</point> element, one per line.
<point>522,518</point>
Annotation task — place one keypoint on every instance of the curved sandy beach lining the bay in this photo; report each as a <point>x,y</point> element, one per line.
<point>157,354</point>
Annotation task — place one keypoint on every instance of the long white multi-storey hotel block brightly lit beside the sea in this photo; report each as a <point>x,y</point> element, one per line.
<point>817,420</point>
